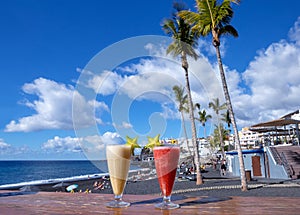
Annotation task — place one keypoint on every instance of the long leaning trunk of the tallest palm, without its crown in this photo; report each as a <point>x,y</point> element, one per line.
<point>230,109</point>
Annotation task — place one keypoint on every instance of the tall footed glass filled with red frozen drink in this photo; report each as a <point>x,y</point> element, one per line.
<point>166,161</point>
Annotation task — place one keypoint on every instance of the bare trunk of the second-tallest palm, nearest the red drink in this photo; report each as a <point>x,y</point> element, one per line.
<point>192,118</point>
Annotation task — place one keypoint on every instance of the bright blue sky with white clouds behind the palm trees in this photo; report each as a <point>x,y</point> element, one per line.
<point>92,63</point>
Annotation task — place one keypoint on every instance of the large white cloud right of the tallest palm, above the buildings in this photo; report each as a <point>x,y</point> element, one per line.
<point>273,82</point>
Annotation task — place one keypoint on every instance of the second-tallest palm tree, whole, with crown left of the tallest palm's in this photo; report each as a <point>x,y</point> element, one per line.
<point>184,41</point>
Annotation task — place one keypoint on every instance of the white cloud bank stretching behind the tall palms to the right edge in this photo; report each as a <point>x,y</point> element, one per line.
<point>266,90</point>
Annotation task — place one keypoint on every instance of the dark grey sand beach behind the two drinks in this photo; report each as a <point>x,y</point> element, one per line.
<point>214,186</point>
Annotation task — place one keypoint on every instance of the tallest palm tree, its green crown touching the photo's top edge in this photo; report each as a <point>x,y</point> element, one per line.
<point>214,18</point>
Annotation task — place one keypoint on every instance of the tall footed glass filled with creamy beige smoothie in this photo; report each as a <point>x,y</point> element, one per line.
<point>118,161</point>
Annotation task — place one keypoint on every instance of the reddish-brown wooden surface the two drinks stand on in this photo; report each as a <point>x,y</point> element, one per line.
<point>14,203</point>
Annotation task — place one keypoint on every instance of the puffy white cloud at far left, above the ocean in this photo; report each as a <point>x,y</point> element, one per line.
<point>53,107</point>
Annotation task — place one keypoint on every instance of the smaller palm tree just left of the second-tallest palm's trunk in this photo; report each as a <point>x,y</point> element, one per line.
<point>181,98</point>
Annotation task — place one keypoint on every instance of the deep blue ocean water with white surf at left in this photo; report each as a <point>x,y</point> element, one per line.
<point>35,172</point>
